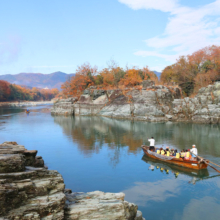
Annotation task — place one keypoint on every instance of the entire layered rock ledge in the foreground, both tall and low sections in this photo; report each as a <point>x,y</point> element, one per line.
<point>29,191</point>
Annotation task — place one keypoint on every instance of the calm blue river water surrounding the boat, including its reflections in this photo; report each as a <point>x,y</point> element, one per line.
<point>104,154</point>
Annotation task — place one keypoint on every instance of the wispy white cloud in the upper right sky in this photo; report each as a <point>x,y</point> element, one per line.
<point>188,29</point>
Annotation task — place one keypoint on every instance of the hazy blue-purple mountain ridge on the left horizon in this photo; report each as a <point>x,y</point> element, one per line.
<point>39,80</point>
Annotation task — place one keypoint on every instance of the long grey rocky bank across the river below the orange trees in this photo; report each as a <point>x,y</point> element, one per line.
<point>152,103</point>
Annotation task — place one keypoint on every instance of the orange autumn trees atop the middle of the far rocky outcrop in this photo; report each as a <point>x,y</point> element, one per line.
<point>108,78</point>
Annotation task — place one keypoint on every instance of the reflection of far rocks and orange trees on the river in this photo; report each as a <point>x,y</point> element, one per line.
<point>92,132</point>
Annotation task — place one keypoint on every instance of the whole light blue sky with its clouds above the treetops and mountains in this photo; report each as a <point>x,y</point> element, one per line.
<point>41,36</point>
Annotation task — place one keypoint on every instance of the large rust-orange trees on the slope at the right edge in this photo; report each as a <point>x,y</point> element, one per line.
<point>194,71</point>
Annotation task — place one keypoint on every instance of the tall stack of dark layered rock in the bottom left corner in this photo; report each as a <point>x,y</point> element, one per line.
<point>27,189</point>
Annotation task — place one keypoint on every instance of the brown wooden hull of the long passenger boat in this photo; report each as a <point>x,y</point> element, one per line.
<point>192,164</point>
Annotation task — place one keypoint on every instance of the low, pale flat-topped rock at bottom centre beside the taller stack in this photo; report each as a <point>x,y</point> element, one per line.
<point>99,205</point>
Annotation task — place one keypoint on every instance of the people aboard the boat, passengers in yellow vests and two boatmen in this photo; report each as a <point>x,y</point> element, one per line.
<point>184,154</point>
